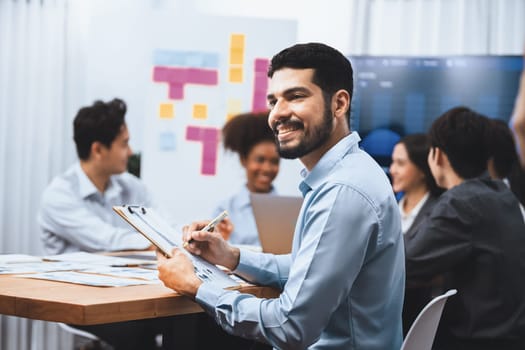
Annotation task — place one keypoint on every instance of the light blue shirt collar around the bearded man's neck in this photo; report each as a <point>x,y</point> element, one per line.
<point>314,178</point>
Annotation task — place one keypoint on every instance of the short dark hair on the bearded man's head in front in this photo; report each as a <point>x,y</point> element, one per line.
<point>332,70</point>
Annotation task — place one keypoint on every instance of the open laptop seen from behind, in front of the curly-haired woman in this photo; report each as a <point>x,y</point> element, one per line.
<point>275,218</point>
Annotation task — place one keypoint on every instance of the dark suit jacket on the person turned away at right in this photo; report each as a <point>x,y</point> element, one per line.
<point>475,238</point>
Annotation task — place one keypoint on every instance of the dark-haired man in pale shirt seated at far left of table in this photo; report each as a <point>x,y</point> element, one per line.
<point>76,209</point>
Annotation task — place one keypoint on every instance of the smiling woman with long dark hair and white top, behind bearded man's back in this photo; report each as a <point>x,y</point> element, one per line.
<point>411,176</point>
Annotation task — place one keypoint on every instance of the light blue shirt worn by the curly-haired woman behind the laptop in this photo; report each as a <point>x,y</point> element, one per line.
<point>241,214</point>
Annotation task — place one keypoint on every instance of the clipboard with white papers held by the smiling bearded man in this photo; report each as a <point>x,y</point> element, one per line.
<point>152,226</point>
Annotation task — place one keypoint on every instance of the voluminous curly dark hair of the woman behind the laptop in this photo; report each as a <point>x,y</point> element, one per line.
<point>241,133</point>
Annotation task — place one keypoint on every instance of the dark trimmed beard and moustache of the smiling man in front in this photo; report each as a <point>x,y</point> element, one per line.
<point>312,139</point>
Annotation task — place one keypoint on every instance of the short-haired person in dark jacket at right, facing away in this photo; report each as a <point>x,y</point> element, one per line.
<point>475,238</point>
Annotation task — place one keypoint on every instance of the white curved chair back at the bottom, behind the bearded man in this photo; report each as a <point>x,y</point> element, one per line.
<point>421,334</point>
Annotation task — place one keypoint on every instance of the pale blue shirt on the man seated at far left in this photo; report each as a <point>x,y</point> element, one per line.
<point>75,216</point>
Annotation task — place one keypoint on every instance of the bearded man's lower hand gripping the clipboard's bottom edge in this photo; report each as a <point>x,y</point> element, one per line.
<point>178,273</point>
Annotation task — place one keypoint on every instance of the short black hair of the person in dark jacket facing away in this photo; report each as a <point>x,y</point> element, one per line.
<point>460,133</point>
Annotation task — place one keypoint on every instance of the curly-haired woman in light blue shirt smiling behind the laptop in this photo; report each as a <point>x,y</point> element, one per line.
<point>249,136</point>
